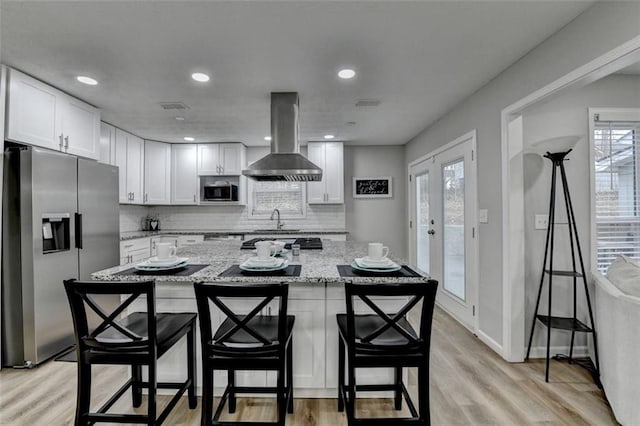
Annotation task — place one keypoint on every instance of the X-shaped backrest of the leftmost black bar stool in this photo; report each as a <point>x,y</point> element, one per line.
<point>111,335</point>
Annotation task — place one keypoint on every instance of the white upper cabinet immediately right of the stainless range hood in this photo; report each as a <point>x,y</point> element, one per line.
<point>329,156</point>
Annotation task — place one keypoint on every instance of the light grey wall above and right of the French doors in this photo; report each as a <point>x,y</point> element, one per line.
<point>598,30</point>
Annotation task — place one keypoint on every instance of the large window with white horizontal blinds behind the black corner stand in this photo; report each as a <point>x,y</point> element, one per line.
<point>616,162</point>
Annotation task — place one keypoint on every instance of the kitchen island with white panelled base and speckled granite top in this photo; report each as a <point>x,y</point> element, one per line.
<point>315,297</point>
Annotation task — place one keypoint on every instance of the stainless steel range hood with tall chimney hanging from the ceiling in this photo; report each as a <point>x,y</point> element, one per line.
<point>285,161</point>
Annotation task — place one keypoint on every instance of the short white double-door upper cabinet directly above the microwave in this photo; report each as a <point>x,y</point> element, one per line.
<point>221,159</point>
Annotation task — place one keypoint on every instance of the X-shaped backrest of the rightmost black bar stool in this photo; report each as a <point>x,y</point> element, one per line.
<point>425,292</point>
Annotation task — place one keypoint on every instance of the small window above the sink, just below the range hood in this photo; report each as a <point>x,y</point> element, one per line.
<point>288,197</point>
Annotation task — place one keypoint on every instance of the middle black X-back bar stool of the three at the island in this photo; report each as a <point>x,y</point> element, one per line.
<point>245,342</point>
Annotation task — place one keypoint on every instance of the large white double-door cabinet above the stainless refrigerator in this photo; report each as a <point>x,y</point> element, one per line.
<point>41,115</point>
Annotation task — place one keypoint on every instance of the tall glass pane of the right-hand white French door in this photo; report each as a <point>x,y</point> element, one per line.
<point>453,238</point>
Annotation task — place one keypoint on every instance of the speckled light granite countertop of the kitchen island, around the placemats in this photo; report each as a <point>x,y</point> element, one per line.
<point>318,266</point>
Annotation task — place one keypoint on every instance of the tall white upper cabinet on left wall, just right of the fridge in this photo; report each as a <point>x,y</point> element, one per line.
<point>130,161</point>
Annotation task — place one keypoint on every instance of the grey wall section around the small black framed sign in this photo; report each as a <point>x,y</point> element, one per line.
<point>378,219</point>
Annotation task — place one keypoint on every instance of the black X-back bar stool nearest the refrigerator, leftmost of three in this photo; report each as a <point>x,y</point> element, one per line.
<point>137,339</point>
